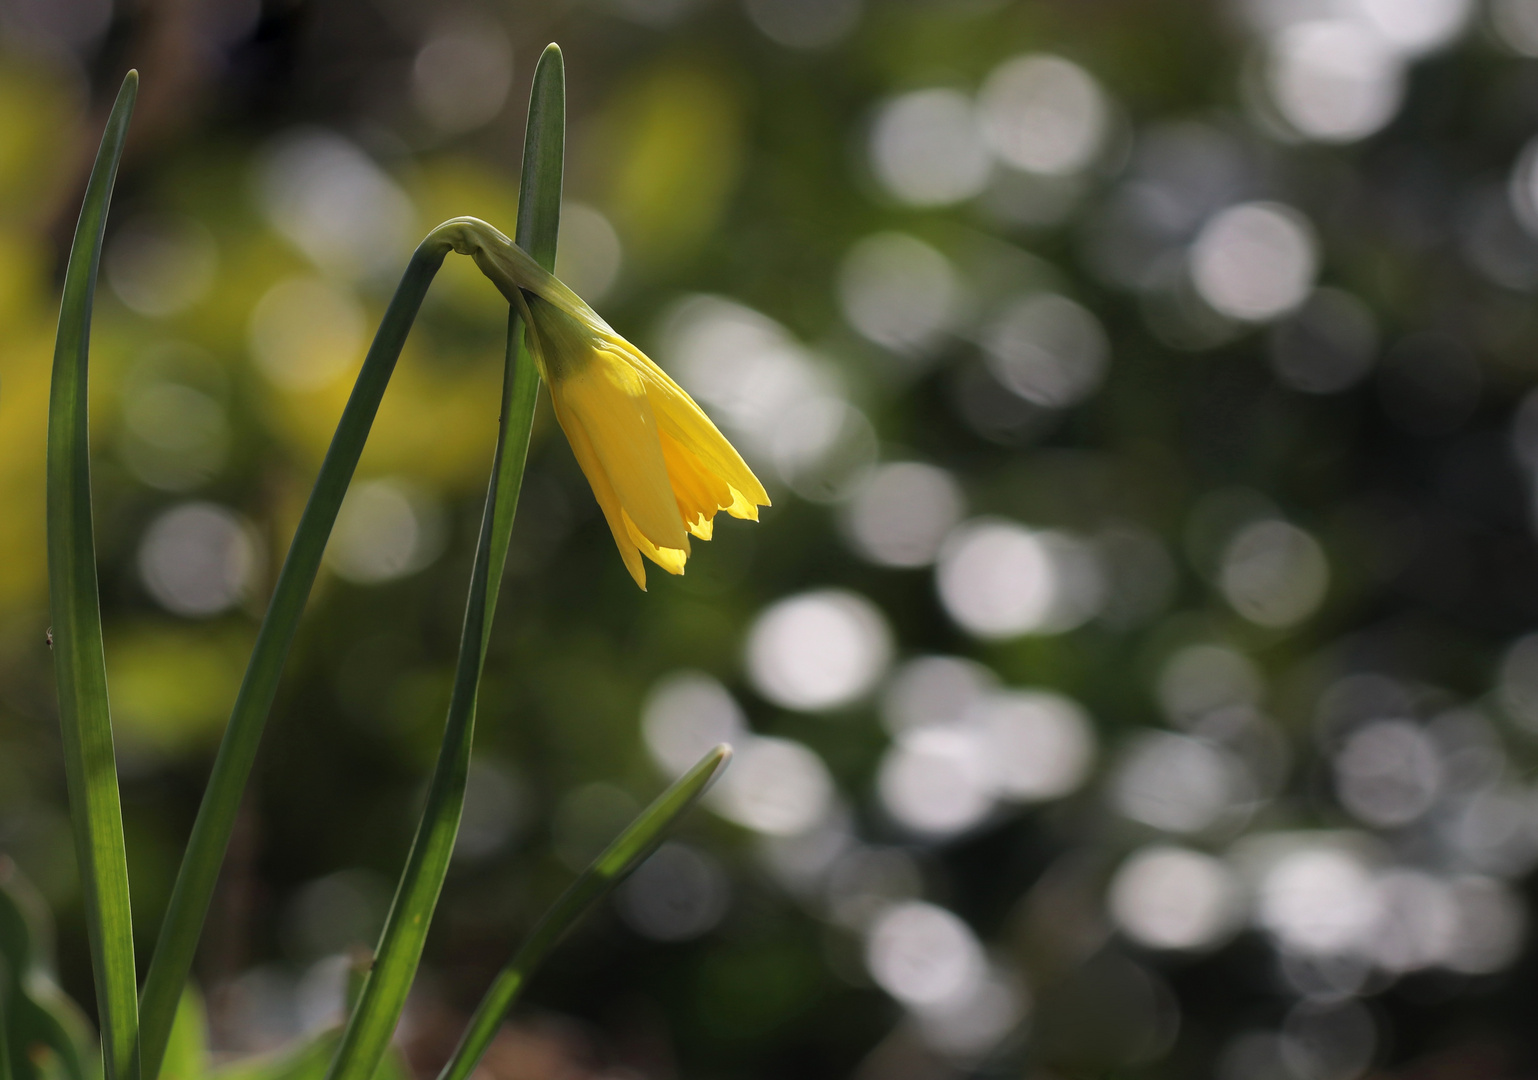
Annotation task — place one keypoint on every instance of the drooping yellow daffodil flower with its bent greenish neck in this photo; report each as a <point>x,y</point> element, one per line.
<point>657,465</point>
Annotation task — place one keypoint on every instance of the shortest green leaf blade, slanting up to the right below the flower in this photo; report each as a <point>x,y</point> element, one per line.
<point>618,861</point>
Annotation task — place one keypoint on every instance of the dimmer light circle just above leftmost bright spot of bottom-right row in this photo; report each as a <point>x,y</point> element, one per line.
<point>1177,784</point>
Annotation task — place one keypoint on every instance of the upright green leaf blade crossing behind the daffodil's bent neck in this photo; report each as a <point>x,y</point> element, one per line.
<point>375,1019</point>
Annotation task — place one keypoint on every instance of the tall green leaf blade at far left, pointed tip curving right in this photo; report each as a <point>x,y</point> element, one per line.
<point>79,661</point>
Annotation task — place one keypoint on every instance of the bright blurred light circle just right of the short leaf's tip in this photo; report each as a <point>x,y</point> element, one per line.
<point>776,787</point>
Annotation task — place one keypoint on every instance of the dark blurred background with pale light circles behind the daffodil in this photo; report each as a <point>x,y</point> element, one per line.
<point>1133,675</point>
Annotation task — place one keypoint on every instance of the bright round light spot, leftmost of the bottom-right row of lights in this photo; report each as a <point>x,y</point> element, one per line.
<point>1170,898</point>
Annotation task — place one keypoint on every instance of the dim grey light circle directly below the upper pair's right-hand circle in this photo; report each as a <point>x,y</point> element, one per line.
<point>1048,350</point>
